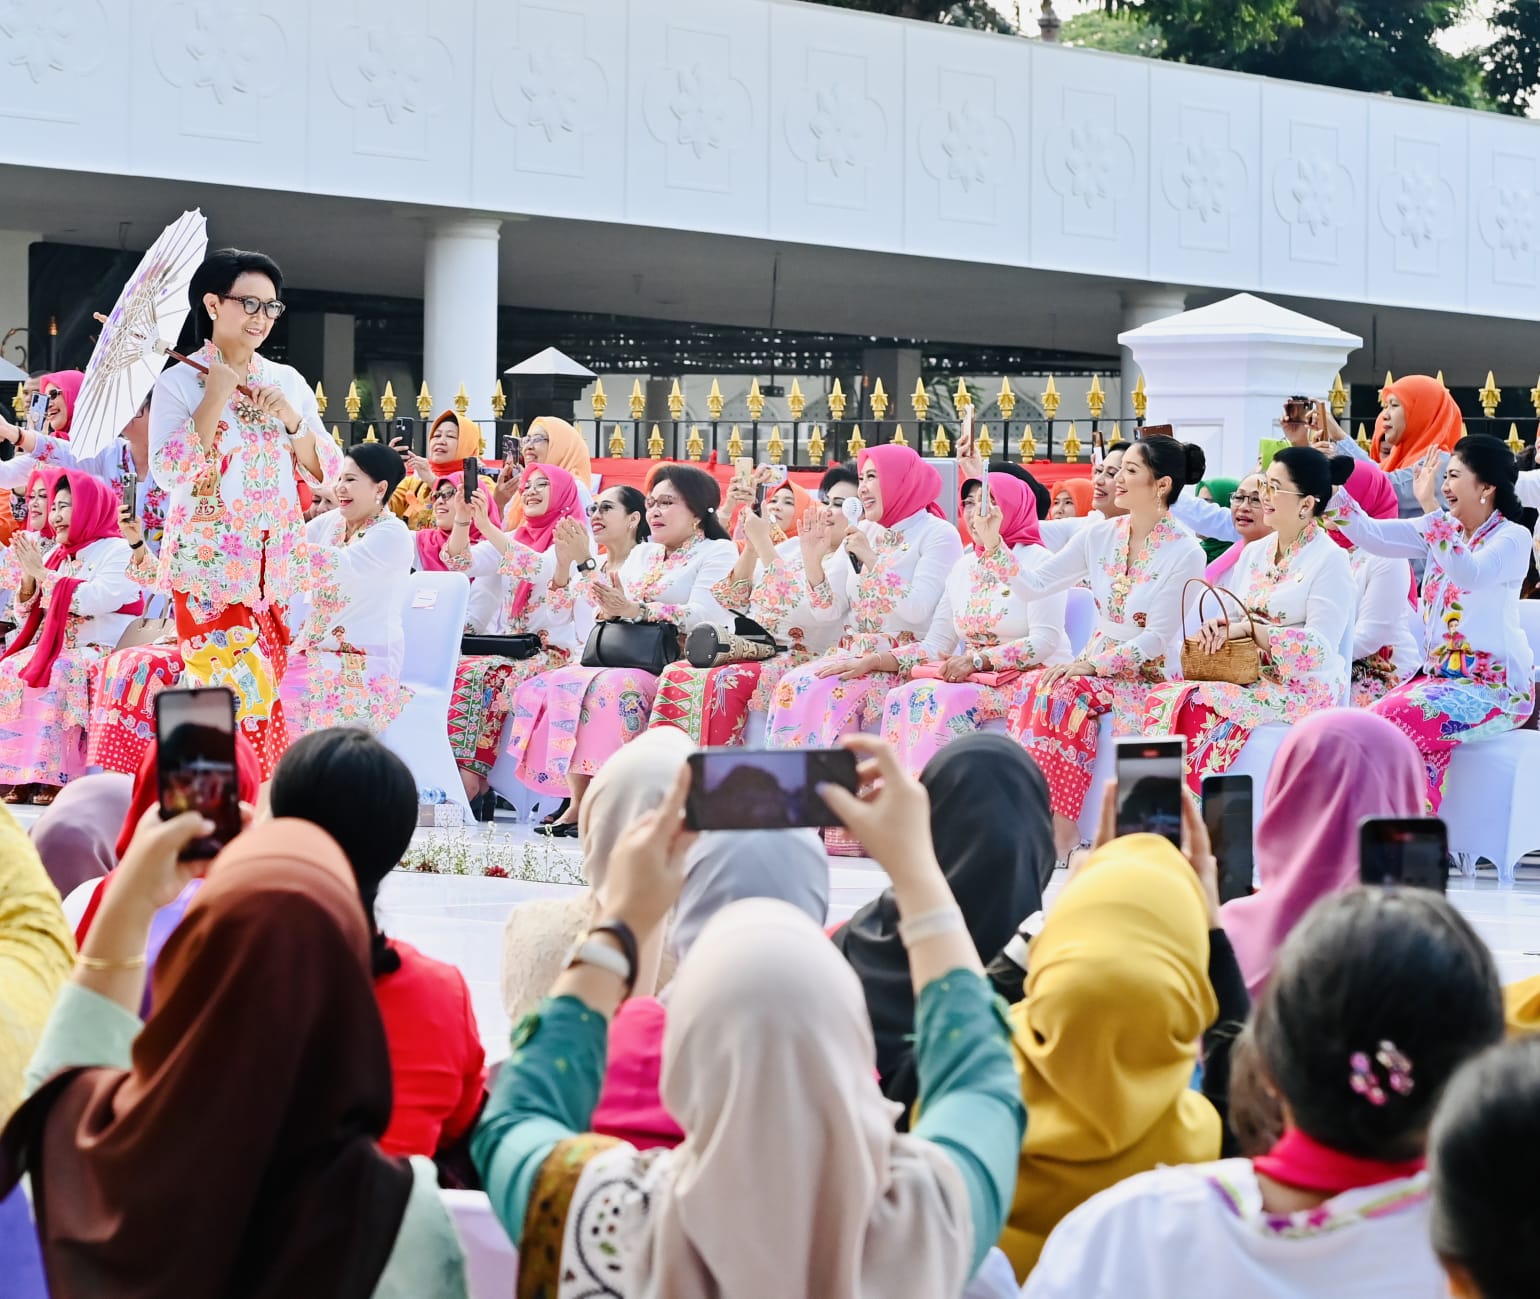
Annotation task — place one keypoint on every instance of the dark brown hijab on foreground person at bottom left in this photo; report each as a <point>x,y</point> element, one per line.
<point>238,1155</point>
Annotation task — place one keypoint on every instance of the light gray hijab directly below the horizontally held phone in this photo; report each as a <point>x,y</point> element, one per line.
<point>729,866</point>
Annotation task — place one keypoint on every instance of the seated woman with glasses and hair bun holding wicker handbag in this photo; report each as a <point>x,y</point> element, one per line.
<point>1299,589</point>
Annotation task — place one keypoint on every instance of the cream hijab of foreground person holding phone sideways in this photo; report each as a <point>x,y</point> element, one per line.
<point>791,1178</point>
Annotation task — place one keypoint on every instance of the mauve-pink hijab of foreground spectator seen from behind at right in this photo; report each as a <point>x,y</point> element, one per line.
<point>1334,770</point>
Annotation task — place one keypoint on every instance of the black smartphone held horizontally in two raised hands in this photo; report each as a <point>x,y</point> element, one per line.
<point>774,789</point>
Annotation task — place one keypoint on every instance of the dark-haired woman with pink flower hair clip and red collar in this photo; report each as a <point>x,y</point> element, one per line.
<point>1381,995</point>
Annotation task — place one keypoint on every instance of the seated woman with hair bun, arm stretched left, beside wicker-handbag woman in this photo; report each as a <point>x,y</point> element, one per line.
<point>1137,567</point>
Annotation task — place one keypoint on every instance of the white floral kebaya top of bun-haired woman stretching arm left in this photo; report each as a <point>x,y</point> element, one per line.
<point>1139,596</point>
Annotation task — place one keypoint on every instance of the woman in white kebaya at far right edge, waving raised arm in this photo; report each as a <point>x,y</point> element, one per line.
<point>1478,676</point>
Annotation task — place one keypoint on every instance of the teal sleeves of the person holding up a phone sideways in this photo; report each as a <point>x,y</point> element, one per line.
<point>969,1098</point>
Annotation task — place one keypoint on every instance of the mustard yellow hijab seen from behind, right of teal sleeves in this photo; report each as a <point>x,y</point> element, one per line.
<point>1106,1041</point>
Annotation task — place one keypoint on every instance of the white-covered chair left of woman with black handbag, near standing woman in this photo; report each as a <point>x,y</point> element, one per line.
<point>434,619</point>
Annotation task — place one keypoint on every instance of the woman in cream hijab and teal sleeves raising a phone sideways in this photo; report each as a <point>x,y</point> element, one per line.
<point>768,1067</point>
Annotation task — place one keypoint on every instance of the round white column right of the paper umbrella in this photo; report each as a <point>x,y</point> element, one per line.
<point>460,313</point>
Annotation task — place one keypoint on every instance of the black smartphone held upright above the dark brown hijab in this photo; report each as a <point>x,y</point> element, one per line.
<point>196,763</point>
